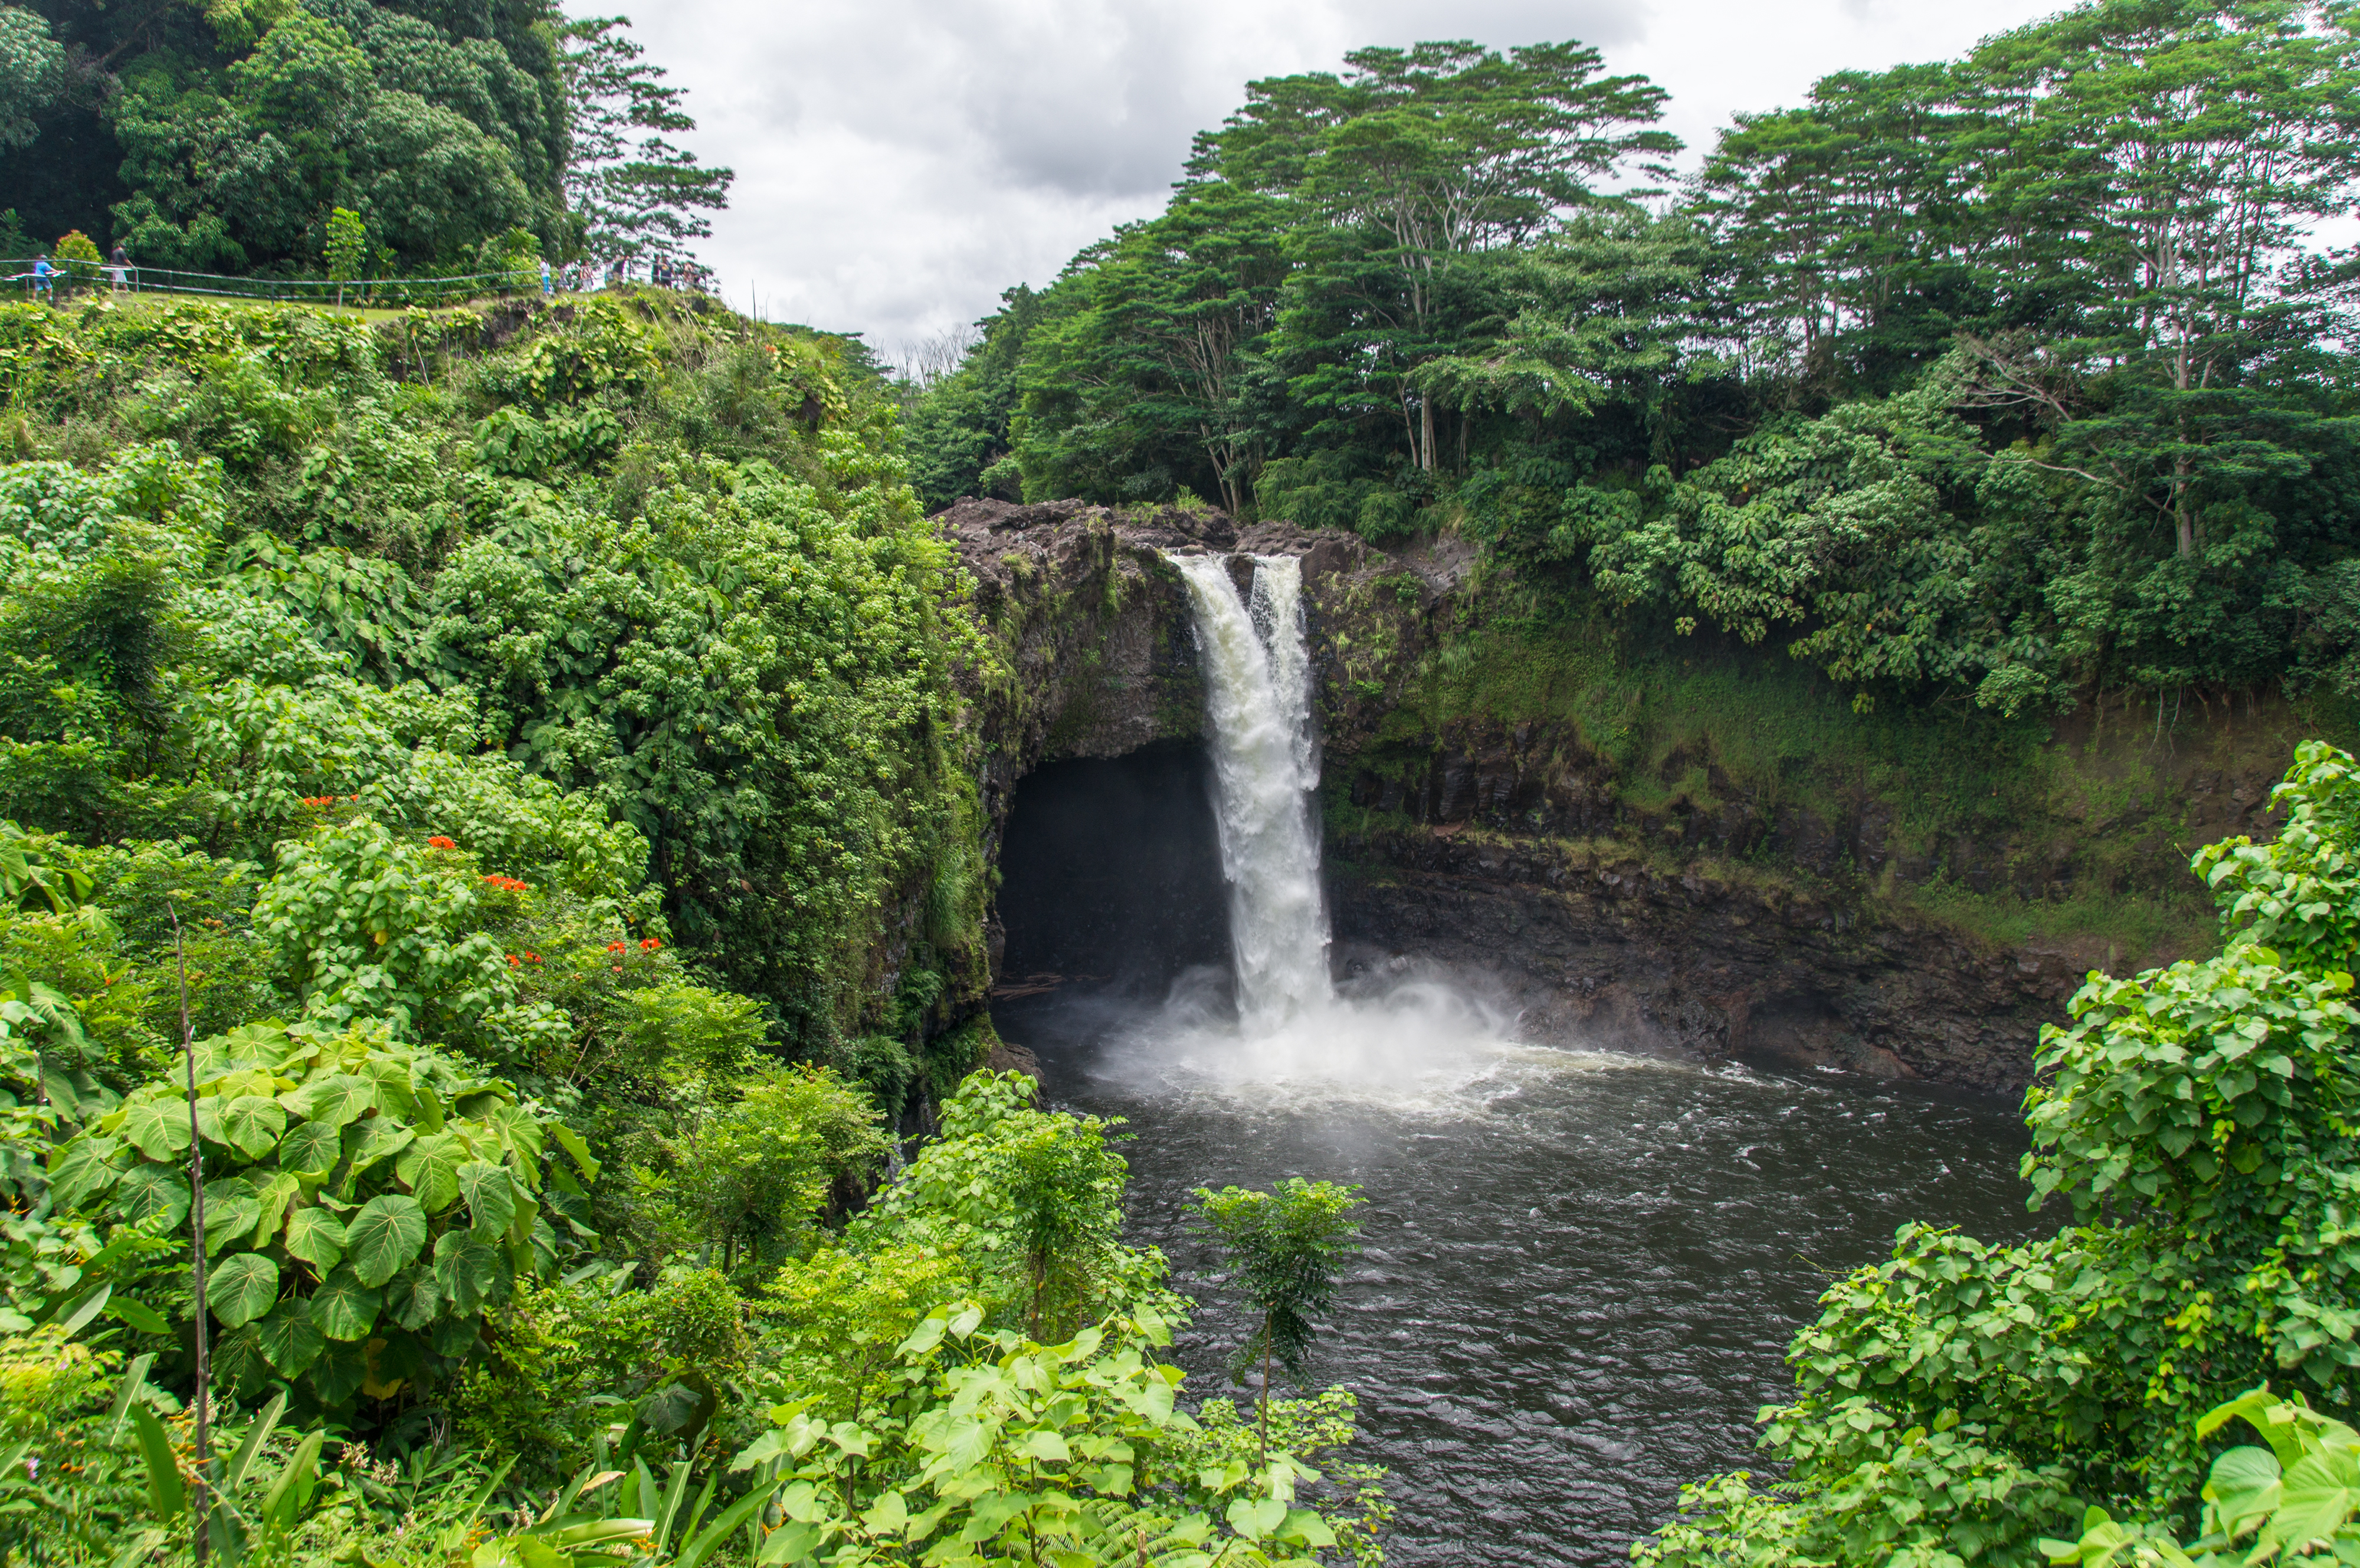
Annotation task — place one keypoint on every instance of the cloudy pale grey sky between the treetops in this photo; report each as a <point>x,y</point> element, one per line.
<point>900,162</point>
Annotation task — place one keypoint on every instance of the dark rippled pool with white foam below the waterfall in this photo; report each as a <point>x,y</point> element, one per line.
<point>1582,1269</point>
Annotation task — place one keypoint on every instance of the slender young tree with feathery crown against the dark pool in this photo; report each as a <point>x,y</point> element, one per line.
<point>1283,1250</point>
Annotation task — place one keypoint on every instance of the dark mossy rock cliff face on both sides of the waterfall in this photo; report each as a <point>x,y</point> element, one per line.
<point>1674,913</point>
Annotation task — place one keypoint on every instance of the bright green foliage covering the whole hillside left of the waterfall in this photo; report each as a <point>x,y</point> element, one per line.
<point>485,839</point>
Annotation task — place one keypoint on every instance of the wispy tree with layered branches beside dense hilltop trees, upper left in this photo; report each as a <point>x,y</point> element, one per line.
<point>636,197</point>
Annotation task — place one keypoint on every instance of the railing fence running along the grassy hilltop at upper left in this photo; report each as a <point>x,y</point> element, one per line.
<point>67,280</point>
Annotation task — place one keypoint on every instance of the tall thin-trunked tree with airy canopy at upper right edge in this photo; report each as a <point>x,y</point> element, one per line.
<point>2168,159</point>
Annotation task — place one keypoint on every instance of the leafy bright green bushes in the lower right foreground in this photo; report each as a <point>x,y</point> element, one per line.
<point>1962,1402</point>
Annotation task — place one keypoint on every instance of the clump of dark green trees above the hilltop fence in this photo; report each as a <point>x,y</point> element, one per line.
<point>228,136</point>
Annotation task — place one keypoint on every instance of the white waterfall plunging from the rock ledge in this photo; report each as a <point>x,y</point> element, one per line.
<point>1266,762</point>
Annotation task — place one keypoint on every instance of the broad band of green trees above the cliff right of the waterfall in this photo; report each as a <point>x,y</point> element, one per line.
<point>1991,379</point>
